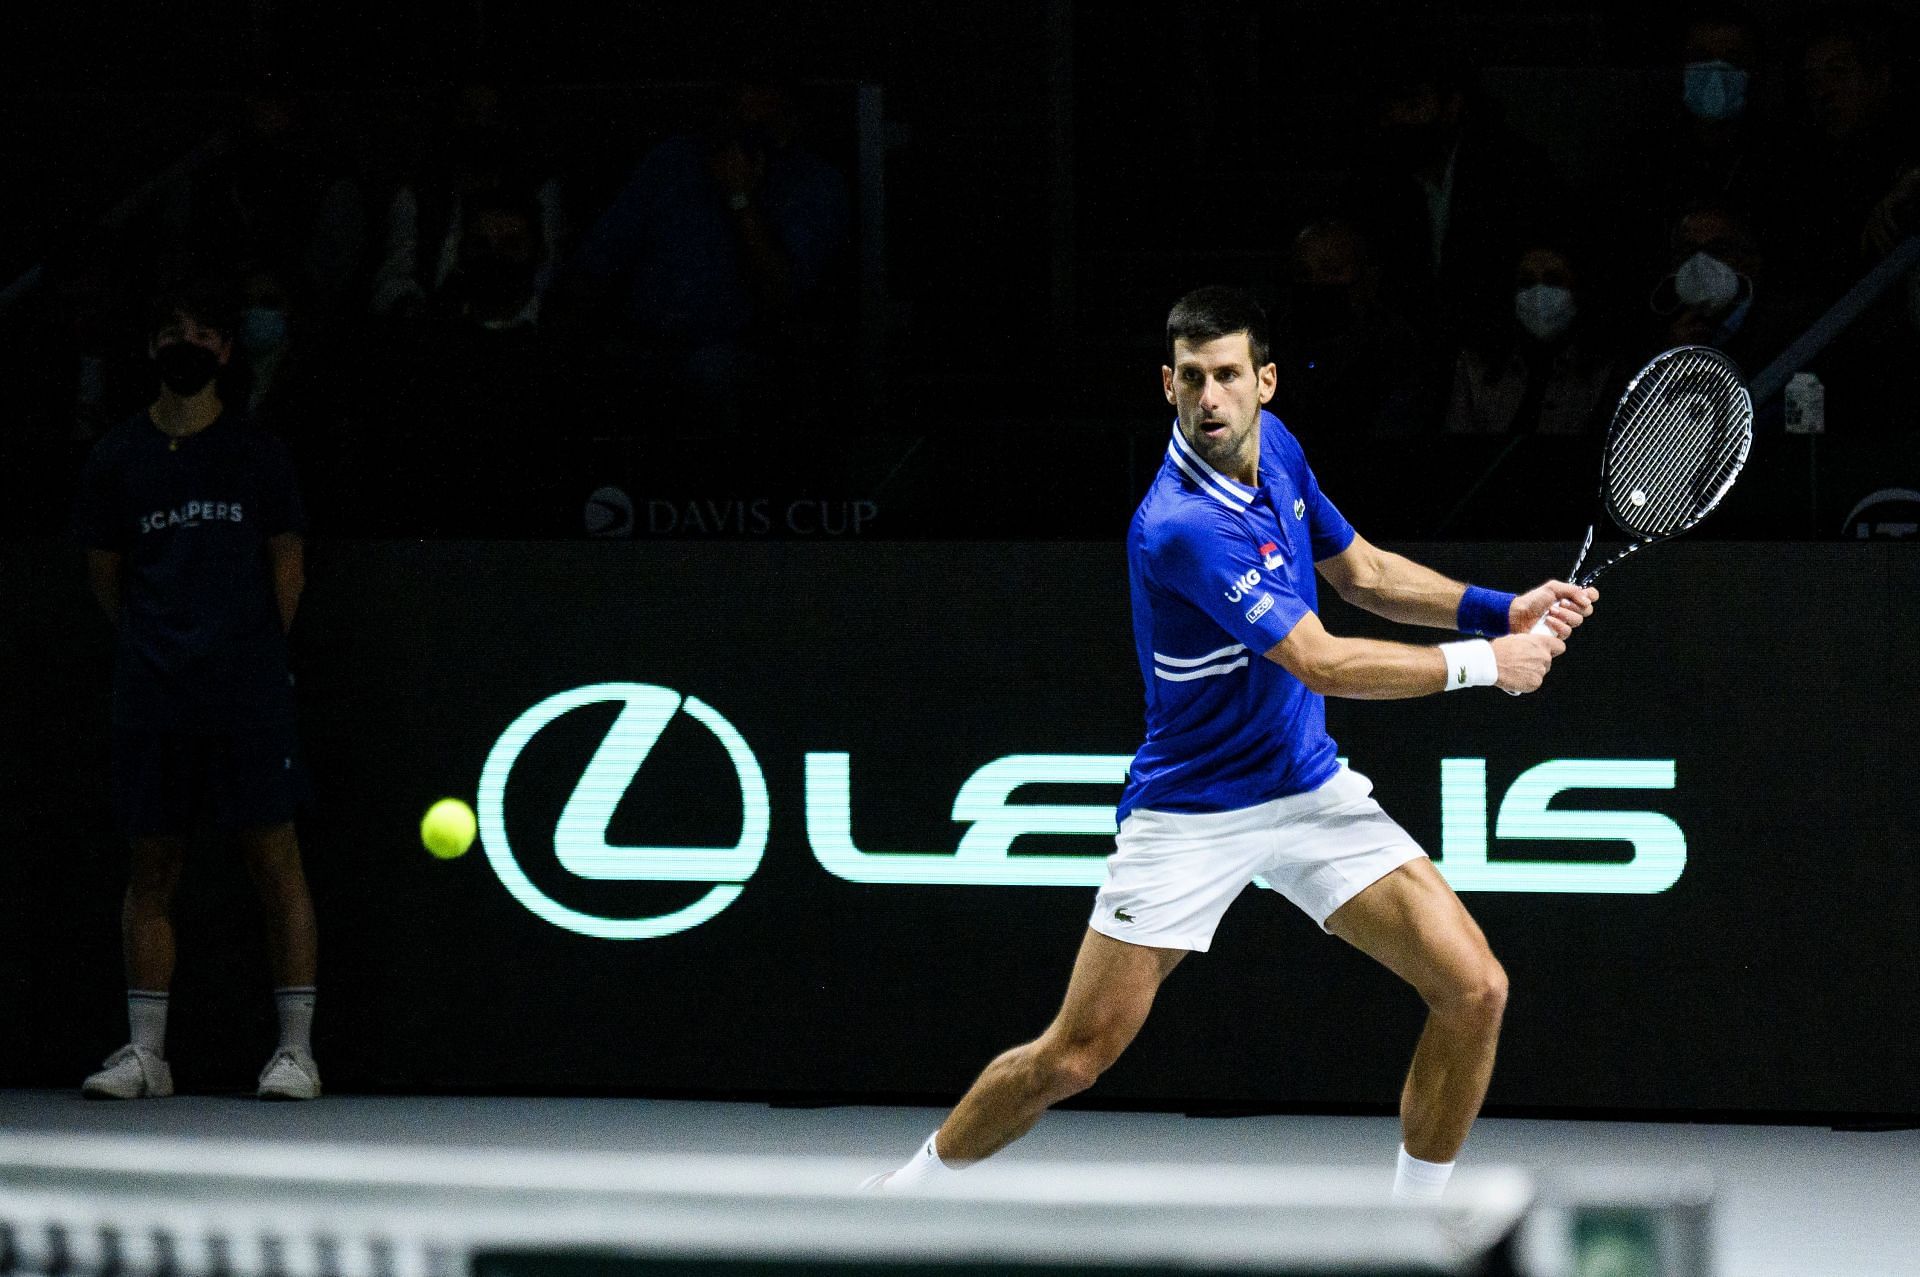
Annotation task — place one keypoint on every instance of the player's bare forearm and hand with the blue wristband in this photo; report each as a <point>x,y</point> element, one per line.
<point>1412,594</point>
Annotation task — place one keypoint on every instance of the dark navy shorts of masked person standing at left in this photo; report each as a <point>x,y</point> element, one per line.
<point>178,783</point>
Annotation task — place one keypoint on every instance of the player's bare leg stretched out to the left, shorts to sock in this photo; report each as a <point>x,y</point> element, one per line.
<point>1107,1003</point>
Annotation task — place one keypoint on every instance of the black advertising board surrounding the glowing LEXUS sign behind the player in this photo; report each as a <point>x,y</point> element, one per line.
<point>1769,982</point>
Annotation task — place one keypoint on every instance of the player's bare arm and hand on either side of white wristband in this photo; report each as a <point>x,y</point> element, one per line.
<point>1378,671</point>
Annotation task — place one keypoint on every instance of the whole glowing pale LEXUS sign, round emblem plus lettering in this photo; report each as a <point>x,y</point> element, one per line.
<point>988,806</point>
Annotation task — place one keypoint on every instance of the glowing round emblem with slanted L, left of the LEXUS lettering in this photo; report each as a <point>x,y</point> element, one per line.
<point>581,836</point>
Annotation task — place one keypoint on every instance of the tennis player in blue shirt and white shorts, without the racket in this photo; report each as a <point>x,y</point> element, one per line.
<point>1239,779</point>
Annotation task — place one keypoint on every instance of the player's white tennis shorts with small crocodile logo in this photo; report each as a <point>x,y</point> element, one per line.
<point>1174,875</point>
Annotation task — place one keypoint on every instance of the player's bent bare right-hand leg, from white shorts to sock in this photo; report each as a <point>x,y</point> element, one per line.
<point>1418,928</point>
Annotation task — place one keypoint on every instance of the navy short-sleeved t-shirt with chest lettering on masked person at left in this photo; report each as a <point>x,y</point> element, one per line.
<point>201,640</point>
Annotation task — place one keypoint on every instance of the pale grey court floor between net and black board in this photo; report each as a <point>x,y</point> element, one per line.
<point>1788,1201</point>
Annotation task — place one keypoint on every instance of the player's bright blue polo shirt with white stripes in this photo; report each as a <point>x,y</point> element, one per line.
<point>1222,573</point>
